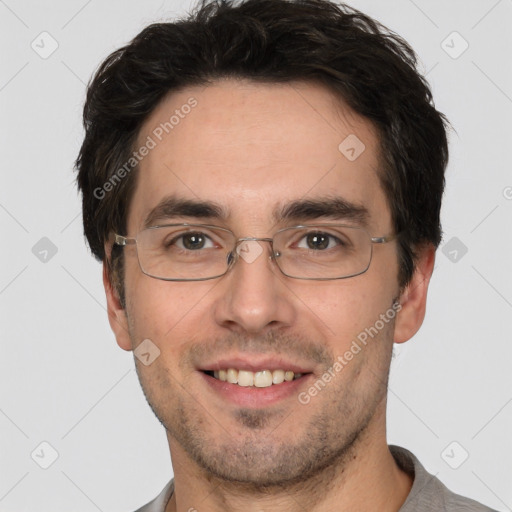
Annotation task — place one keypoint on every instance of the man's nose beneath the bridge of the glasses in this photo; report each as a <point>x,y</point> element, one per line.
<point>254,296</point>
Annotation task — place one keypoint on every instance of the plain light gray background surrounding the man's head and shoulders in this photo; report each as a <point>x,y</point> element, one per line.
<point>64,381</point>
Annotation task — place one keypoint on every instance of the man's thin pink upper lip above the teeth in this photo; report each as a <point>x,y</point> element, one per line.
<point>255,363</point>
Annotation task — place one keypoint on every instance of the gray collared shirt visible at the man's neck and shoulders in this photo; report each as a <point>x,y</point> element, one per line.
<point>427,494</point>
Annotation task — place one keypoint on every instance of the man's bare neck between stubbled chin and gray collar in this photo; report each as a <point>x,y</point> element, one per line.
<point>365,479</point>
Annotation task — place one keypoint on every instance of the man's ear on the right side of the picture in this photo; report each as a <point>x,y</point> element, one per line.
<point>413,298</point>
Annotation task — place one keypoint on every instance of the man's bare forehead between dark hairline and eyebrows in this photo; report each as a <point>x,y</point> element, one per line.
<point>253,147</point>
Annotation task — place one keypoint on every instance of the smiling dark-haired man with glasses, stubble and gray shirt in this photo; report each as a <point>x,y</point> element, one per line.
<point>263,183</point>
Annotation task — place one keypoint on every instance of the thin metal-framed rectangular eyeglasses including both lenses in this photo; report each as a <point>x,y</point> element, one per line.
<point>198,252</point>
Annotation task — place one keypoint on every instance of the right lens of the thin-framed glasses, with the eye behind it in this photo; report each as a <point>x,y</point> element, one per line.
<point>323,252</point>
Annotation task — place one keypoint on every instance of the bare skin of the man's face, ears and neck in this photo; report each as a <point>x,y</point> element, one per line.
<point>250,147</point>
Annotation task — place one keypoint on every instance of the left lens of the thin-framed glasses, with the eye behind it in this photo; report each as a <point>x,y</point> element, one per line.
<point>179,252</point>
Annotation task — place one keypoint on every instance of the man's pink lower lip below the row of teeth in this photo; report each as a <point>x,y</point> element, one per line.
<point>252,396</point>
